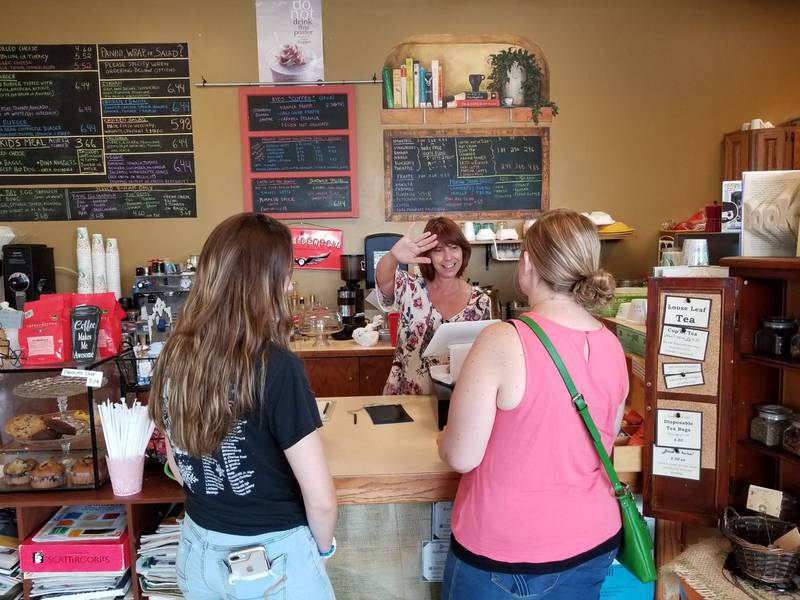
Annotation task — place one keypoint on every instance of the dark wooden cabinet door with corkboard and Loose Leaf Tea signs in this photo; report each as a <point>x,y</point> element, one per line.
<point>689,398</point>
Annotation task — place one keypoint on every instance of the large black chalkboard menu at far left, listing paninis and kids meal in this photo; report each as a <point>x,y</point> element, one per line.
<point>92,131</point>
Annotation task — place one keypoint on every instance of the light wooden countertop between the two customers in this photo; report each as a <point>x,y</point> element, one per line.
<point>379,464</point>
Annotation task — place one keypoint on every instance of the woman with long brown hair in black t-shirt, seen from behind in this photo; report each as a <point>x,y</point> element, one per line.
<point>242,423</point>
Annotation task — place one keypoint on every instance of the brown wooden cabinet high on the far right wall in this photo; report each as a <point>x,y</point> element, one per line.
<point>772,149</point>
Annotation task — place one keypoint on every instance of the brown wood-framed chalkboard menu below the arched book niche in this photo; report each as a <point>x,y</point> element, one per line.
<point>472,173</point>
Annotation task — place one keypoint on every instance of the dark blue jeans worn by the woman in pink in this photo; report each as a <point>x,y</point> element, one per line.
<point>464,582</point>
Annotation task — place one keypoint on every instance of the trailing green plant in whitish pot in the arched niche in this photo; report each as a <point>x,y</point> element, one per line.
<point>516,74</point>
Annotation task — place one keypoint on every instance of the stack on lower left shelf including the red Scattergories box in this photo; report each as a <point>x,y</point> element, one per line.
<point>81,553</point>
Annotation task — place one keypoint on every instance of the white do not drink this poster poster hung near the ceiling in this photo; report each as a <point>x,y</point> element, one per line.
<point>289,40</point>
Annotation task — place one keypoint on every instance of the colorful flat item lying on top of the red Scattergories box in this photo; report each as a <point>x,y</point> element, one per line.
<point>84,522</point>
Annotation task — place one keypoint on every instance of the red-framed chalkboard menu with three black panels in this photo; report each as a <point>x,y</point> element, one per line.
<point>299,151</point>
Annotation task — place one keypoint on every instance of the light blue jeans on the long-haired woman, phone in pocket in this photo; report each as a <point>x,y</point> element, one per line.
<point>297,571</point>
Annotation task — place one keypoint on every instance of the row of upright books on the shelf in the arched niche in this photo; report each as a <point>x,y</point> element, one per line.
<point>413,85</point>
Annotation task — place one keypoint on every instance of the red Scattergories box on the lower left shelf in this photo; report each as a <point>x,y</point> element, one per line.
<point>75,556</point>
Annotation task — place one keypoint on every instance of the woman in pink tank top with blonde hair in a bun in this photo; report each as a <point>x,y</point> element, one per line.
<point>535,515</point>
